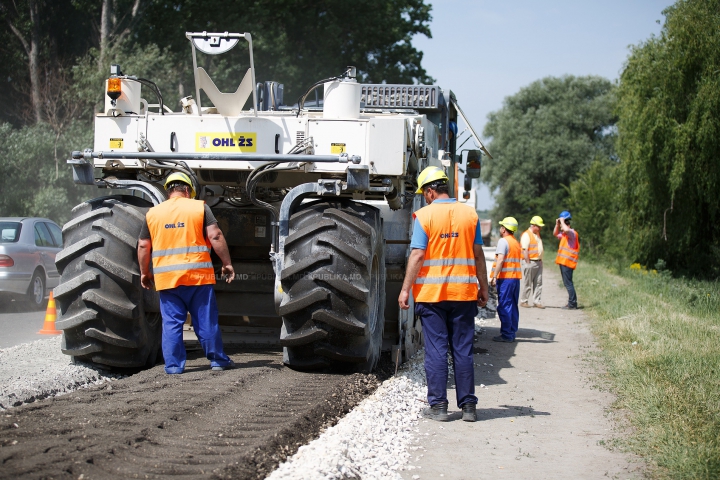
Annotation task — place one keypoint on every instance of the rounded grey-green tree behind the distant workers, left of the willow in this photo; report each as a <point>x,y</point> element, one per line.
<point>543,138</point>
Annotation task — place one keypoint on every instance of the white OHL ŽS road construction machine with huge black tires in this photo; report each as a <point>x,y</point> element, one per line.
<point>315,201</point>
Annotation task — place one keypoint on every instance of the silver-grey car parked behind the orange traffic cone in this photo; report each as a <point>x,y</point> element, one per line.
<point>28,246</point>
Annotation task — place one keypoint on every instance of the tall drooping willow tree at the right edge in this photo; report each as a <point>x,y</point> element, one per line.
<point>669,99</point>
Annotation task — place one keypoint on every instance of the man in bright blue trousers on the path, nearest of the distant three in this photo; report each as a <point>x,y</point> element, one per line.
<point>506,276</point>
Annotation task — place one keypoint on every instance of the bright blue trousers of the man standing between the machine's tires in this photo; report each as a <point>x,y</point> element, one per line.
<point>199,301</point>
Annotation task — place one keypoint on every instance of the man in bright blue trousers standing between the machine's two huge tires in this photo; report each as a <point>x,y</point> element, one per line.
<point>180,232</point>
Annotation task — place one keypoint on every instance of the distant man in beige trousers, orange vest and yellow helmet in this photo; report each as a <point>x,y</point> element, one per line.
<point>532,251</point>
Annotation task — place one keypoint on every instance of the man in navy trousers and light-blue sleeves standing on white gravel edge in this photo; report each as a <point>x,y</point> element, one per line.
<point>447,275</point>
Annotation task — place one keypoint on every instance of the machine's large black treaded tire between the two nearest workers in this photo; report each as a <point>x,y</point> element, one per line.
<point>333,280</point>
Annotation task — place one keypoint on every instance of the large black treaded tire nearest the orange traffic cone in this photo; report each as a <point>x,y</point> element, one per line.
<point>106,316</point>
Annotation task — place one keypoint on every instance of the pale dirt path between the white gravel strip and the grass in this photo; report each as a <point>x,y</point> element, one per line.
<point>539,413</point>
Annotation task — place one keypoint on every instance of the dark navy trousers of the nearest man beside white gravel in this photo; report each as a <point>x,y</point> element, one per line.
<point>449,324</point>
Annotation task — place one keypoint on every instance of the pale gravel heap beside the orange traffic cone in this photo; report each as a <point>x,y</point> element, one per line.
<point>37,370</point>
